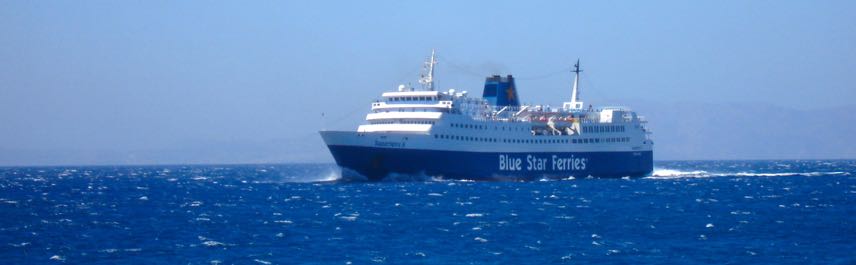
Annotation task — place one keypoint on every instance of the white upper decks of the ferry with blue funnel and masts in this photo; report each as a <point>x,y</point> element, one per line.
<point>408,110</point>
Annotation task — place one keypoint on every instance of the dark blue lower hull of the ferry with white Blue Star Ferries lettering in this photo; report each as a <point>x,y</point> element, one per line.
<point>376,163</point>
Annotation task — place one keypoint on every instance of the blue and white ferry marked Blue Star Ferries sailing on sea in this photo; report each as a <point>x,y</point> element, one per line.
<point>450,135</point>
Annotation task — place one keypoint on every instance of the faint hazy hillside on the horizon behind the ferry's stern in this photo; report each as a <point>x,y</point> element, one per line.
<point>749,131</point>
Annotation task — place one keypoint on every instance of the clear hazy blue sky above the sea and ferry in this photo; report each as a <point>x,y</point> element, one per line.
<point>171,82</point>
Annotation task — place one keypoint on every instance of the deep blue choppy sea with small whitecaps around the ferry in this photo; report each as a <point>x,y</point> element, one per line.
<point>696,212</point>
